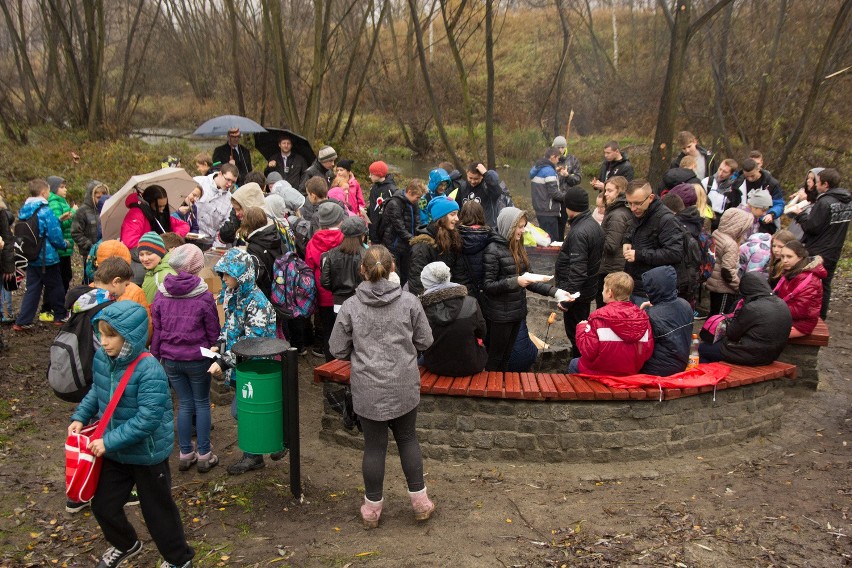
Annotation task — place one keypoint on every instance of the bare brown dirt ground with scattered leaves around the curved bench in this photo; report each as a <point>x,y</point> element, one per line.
<point>782,500</point>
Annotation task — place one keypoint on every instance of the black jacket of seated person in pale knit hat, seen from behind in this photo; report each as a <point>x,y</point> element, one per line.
<point>458,329</point>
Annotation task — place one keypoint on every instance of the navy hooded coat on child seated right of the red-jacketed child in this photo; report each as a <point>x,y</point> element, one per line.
<point>671,321</point>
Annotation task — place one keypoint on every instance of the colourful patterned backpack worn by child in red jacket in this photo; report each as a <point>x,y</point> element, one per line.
<point>294,289</point>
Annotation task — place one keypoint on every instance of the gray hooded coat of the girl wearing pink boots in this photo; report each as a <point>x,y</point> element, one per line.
<point>381,329</point>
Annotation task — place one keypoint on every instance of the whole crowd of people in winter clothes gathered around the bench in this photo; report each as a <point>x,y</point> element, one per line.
<point>434,273</point>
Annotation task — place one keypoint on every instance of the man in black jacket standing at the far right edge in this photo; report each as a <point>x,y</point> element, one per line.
<point>825,226</point>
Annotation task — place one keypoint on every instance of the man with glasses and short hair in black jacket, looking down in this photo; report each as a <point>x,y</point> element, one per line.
<point>655,239</point>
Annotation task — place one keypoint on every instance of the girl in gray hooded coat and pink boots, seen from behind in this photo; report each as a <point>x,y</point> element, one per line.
<point>381,329</point>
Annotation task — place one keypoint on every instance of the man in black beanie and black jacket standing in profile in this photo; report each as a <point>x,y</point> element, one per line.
<point>578,262</point>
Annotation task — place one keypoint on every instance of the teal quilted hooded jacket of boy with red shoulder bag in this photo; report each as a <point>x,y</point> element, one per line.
<point>141,430</point>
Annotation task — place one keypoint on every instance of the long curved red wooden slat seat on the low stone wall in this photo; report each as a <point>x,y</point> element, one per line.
<point>558,386</point>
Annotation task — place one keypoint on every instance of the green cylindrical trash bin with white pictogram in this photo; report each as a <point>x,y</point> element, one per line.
<point>260,407</point>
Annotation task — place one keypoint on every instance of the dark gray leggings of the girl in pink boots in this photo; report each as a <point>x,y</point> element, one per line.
<point>376,449</point>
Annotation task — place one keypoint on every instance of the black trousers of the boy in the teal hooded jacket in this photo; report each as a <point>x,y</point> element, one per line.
<point>162,517</point>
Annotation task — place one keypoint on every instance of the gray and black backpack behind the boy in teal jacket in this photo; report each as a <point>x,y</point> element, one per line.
<point>69,370</point>
